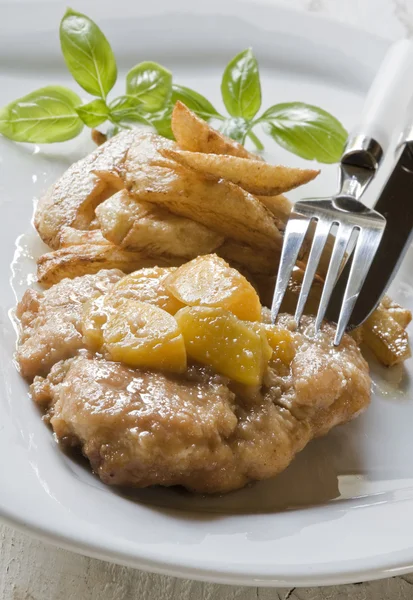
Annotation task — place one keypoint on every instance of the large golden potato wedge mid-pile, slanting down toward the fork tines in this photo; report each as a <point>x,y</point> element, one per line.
<point>219,205</point>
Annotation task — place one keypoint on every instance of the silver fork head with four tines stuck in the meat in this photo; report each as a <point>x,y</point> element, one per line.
<point>367,225</point>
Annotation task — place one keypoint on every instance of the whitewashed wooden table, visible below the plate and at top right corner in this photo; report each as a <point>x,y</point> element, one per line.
<point>32,570</point>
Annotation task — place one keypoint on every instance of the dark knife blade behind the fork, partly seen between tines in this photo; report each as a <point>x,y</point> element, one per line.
<point>395,203</point>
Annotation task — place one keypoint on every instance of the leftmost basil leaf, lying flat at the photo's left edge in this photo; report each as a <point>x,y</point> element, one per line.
<point>44,116</point>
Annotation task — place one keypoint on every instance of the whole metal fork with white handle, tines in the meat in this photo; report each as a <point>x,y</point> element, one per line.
<point>361,158</point>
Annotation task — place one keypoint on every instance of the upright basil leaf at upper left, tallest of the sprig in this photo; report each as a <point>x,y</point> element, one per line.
<point>88,54</point>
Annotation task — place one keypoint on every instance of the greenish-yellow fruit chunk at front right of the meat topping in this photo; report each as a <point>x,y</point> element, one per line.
<point>215,337</point>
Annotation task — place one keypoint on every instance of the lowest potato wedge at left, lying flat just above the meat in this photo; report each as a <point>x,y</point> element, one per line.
<point>84,259</point>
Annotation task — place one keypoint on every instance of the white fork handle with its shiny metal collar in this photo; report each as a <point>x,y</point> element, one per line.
<point>385,103</point>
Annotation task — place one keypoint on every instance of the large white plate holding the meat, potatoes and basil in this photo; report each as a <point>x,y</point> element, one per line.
<point>343,511</point>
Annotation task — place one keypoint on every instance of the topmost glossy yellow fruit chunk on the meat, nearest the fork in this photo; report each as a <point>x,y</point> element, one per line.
<point>210,281</point>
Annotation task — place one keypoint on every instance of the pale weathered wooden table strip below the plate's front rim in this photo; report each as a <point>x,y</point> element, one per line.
<point>31,570</point>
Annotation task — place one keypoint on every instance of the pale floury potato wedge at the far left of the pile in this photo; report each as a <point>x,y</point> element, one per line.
<point>72,200</point>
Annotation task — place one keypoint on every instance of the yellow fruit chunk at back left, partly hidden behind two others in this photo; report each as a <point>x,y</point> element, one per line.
<point>147,285</point>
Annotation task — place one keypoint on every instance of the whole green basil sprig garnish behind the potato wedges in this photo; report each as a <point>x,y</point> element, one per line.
<point>56,114</point>
